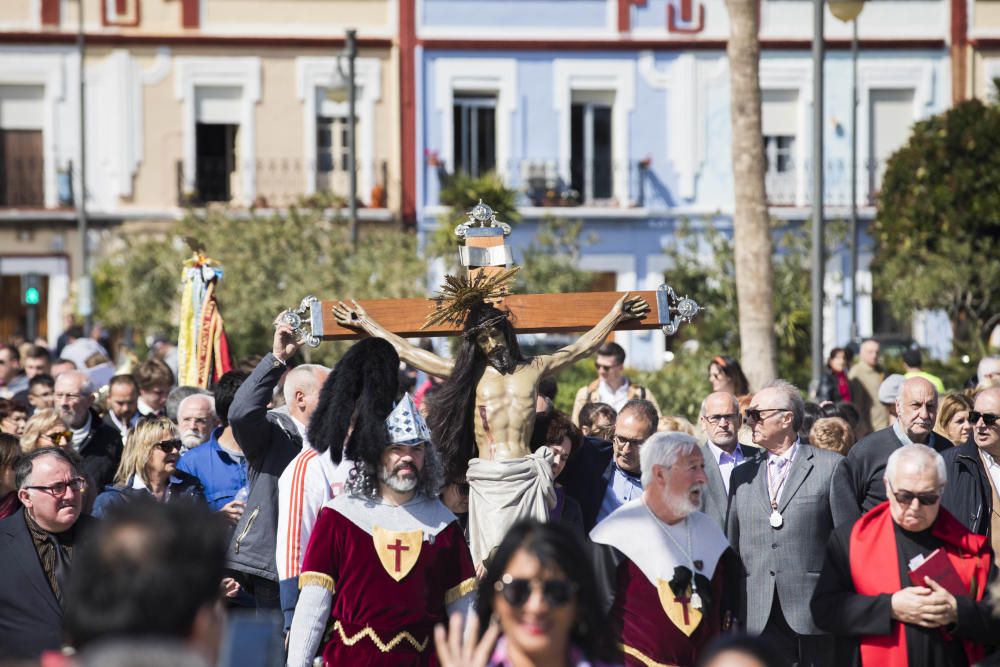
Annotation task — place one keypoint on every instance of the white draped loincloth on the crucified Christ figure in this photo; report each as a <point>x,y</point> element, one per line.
<point>501,492</point>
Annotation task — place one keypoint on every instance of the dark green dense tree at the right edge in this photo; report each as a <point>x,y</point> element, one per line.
<point>937,230</point>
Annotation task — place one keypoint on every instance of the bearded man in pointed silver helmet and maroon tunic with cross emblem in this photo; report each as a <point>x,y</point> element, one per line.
<point>386,561</point>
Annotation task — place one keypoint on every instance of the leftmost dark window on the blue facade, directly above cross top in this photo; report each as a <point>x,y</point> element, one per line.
<point>474,127</point>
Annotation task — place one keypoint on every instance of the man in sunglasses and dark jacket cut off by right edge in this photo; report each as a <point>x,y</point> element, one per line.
<point>974,471</point>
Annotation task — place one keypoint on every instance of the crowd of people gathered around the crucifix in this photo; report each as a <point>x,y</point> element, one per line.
<point>858,527</point>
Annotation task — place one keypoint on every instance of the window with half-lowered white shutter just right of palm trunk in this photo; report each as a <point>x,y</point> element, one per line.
<point>778,122</point>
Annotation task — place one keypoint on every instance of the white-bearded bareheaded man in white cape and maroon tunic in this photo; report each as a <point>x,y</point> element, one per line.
<point>665,569</point>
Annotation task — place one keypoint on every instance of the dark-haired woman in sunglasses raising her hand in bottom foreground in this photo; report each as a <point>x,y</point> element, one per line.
<point>541,594</point>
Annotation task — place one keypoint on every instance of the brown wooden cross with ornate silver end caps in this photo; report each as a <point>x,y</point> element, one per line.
<point>485,251</point>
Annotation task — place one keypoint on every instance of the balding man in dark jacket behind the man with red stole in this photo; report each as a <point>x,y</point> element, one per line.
<point>916,412</point>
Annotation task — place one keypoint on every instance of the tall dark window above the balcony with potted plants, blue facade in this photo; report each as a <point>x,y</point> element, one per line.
<point>591,168</point>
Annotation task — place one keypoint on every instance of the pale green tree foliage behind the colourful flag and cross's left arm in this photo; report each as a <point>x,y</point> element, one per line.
<point>270,263</point>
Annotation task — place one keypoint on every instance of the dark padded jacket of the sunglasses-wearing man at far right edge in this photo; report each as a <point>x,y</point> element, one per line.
<point>968,495</point>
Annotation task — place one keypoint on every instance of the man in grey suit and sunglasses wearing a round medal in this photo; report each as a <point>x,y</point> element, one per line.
<point>783,506</point>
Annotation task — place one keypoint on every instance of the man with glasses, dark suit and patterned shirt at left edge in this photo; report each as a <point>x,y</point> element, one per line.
<point>37,544</point>
